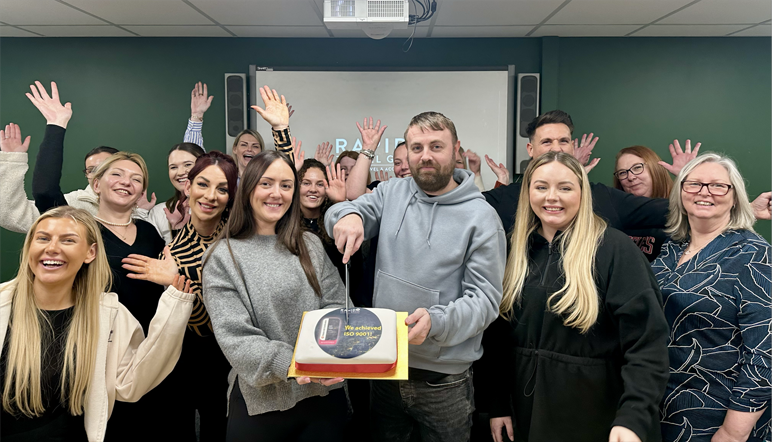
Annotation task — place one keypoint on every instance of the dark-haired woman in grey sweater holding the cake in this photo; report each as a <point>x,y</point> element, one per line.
<point>258,279</point>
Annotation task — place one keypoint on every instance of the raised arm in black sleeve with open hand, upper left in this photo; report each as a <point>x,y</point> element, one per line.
<point>48,167</point>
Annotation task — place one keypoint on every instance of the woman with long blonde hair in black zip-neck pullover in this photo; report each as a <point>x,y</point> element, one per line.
<point>581,336</point>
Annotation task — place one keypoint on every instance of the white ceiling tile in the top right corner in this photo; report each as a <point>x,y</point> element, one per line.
<point>723,12</point>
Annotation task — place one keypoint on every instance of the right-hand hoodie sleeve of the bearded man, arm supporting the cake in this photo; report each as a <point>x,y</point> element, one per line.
<point>478,307</point>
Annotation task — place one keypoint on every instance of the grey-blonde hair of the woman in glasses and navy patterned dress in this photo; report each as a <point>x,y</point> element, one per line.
<point>741,215</point>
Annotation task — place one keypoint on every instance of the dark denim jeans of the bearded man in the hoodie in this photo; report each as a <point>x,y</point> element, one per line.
<point>441,411</point>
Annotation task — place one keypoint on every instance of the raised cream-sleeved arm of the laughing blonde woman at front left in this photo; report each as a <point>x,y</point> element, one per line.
<point>146,361</point>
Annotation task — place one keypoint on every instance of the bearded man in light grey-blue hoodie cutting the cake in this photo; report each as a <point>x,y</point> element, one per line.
<point>441,257</point>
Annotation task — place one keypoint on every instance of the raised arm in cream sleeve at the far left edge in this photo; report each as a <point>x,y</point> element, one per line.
<point>19,213</point>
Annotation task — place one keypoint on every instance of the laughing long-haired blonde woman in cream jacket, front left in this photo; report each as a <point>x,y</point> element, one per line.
<point>61,368</point>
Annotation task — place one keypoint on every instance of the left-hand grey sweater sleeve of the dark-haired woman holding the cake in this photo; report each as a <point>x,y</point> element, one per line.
<point>258,361</point>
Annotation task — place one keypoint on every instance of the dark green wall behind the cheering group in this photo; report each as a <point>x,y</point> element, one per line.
<point>133,93</point>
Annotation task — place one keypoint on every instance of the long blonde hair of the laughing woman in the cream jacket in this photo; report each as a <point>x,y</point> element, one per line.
<point>28,325</point>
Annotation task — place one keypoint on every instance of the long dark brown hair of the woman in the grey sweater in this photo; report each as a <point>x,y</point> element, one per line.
<point>289,229</point>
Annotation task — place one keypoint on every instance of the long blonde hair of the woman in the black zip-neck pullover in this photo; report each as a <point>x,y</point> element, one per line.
<point>578,299</point>
